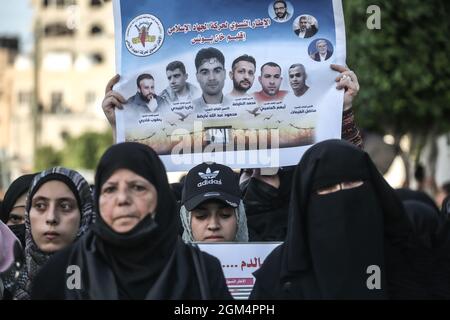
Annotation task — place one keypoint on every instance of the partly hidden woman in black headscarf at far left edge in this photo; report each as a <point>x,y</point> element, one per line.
<point>13,206</point>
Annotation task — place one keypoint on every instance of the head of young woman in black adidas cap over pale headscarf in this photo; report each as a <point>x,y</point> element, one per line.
<point>212,211</point>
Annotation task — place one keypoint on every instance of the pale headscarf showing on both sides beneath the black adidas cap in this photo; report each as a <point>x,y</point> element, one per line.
<point>241,217</point>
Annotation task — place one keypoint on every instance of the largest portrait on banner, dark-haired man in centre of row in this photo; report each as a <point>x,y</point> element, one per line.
<point>210,66</point>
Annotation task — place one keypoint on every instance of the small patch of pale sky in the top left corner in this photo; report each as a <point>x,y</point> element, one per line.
<point>16,20</point>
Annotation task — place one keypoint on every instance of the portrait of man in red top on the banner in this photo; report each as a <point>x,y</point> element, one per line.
<point>270,80</point>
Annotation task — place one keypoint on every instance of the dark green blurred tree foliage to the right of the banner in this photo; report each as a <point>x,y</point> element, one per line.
<point>403,68</point>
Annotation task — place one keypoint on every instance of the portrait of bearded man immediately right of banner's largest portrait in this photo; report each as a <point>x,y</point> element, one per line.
<point>243,75</point>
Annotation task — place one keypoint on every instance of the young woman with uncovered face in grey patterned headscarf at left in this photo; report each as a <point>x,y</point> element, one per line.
<point>59,209</point>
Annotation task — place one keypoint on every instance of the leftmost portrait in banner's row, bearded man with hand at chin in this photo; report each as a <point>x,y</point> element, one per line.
<point>145,100</point>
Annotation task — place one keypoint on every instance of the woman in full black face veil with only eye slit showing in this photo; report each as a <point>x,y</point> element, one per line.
<point>343,218</point>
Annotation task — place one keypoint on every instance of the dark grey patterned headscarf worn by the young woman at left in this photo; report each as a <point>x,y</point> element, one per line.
<point>34,257</point>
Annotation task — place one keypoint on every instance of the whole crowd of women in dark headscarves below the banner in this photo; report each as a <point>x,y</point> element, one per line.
<point>132,235</point>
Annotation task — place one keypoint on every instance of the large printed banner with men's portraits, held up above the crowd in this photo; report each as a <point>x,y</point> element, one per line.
<point>190,103</point>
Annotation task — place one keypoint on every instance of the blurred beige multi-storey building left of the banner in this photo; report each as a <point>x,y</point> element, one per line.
<point>58,88</point>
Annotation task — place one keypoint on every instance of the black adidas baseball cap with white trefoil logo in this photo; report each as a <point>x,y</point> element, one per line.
<point>208,181</point>
